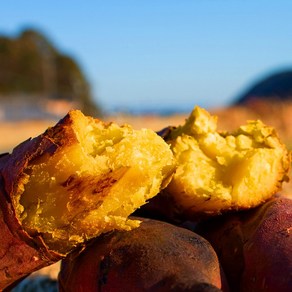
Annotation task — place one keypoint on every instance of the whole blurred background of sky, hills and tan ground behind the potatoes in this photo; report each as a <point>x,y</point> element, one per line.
<point>147,63</point>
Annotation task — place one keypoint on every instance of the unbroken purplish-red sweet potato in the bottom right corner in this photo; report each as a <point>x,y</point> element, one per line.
<point>255,247</point>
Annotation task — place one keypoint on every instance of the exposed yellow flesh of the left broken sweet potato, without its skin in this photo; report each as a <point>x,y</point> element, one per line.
<point>91,186</point>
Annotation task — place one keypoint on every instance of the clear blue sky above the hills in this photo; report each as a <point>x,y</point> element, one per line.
<point>163,53</point>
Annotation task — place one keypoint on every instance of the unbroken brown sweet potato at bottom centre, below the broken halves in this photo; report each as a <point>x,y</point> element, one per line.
<point>156,256</point>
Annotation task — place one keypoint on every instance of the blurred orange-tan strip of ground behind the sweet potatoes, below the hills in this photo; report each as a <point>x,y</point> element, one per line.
<point>280,117</point>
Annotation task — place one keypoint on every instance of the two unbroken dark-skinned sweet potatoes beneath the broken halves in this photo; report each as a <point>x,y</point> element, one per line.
<point>253,252</point>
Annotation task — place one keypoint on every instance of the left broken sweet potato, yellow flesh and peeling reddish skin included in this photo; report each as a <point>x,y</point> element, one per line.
<point>79,179</point>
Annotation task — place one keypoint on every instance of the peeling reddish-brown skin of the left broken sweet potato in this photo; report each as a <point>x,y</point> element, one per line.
<point>22,253</point>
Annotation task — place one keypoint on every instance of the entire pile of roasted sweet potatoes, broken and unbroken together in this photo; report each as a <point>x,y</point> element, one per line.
<point>199,234</point>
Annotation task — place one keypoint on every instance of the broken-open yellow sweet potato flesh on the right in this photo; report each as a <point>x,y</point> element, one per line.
<point>220,171</point>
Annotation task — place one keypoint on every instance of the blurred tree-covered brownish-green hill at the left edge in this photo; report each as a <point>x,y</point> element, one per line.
<point>32,67</point>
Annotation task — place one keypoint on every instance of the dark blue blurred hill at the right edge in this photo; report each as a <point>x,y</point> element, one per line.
<point>276,87</point>
